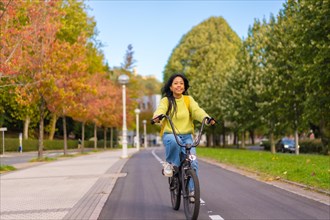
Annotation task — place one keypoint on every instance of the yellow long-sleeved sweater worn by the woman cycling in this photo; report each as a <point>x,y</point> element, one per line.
<point>181,120</point>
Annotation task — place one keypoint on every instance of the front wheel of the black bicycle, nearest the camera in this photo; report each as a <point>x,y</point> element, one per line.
<point>191,192</point>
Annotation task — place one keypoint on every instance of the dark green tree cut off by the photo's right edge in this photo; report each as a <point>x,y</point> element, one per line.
<point>311,31</point>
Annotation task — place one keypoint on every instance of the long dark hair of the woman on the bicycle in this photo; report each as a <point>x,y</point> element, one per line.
<point>166,91</point>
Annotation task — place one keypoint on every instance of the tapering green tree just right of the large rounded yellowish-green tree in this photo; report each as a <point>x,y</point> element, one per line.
<point>239,97</point>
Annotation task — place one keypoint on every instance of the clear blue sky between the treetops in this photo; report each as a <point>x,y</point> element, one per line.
<point>155,27</point>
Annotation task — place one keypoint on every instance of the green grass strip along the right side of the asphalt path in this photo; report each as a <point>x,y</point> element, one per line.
<point>311,170</point>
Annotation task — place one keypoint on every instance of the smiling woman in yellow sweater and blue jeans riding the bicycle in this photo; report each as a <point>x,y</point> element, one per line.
<point>183,110</point>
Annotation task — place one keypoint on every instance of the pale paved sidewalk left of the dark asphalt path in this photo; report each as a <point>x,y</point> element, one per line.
<point>74,188</point>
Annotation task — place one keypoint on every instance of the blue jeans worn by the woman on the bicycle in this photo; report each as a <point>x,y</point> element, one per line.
<point>172,149</point>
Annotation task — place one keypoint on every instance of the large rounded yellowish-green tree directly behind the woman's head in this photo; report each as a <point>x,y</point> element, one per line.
<point>206,55</point>
